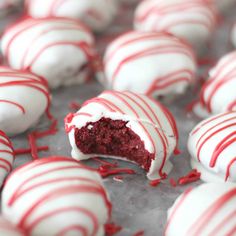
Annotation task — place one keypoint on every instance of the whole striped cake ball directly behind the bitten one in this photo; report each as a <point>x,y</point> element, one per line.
<point>133,47</point>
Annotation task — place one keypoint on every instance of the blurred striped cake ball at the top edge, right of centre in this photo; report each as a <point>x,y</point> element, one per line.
<point>155,15</point>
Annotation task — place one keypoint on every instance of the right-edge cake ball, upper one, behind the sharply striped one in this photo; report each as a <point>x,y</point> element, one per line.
<point>218,94</point>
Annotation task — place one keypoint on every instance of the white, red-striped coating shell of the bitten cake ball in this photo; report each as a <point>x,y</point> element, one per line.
<point>147,118</point>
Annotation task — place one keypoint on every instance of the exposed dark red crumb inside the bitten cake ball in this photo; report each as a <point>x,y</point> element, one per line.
<point>113,138</point>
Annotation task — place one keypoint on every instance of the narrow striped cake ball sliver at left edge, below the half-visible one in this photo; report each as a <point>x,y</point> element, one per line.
<point>6,159</point>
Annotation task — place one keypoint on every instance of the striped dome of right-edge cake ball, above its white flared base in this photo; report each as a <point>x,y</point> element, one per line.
<point>219,133</point>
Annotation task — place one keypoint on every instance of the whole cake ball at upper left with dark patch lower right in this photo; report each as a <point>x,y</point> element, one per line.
<point>61,50</point>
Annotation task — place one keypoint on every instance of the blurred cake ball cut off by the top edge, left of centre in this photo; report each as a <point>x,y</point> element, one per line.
<point>97,14</point>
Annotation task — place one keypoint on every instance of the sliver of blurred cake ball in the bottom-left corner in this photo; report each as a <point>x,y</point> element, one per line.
<point>8,229</point>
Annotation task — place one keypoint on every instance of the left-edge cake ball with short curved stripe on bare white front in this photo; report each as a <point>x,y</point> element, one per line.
<point>24,98</point>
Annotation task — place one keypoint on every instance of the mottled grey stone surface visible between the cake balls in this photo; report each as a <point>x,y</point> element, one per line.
<point>136,205</point>
